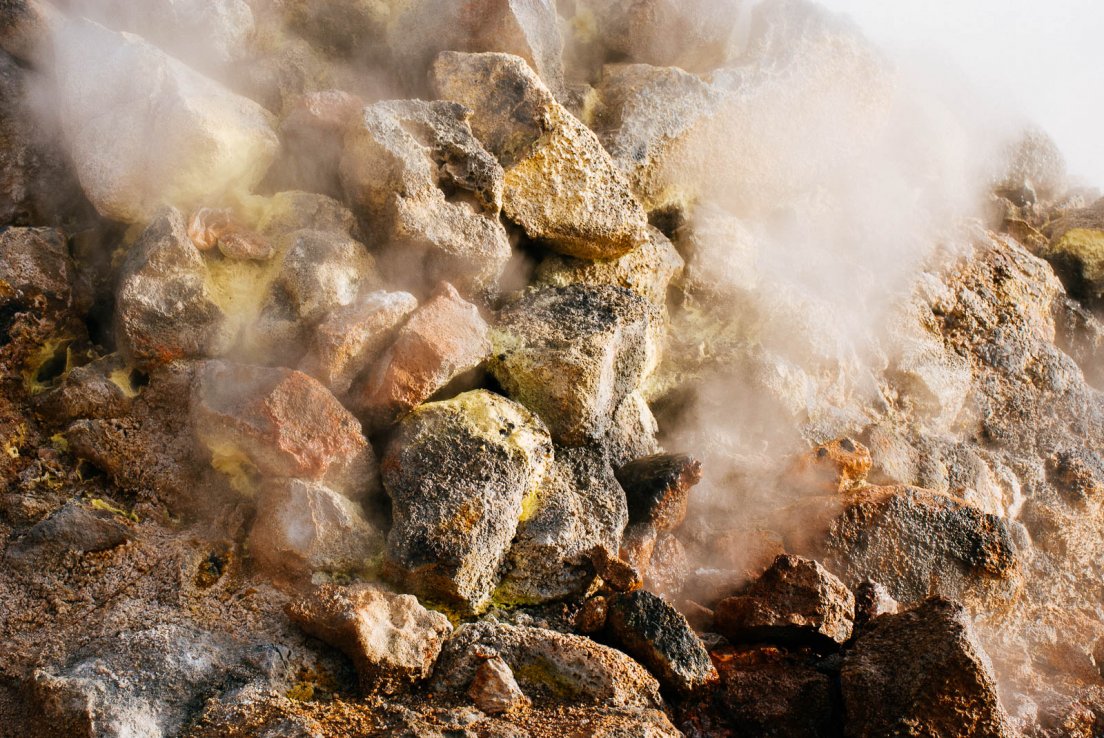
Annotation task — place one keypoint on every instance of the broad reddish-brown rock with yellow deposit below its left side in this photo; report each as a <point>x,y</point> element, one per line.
<point>280,424</point>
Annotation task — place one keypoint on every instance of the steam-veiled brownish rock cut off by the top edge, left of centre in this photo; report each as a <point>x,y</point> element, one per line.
<point>529,29</point>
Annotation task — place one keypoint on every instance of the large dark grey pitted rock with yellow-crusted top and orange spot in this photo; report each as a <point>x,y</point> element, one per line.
<point>460,475</point>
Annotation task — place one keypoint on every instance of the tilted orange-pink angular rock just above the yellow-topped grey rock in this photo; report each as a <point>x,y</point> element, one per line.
<point>443,339</point>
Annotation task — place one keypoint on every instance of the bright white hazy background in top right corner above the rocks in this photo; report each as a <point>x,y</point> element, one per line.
<point>1046,59</point>
